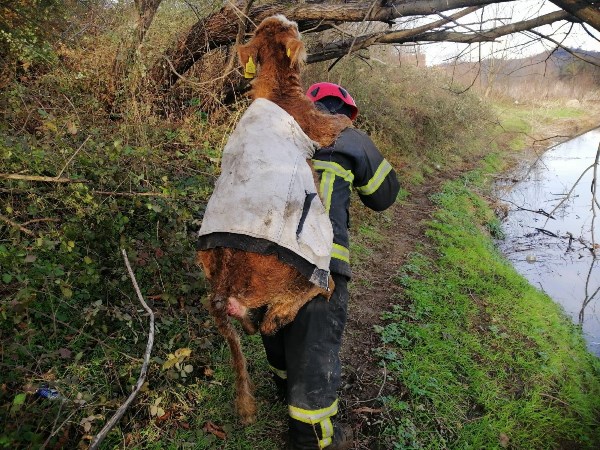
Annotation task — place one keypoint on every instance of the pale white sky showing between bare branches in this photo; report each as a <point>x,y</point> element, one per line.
<point>516,45</point>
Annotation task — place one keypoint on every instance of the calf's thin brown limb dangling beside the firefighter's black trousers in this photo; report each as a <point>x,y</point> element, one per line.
<point>245,402</point>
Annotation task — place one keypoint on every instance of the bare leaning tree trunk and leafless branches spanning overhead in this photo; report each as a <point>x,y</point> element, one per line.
<point>375,22</point>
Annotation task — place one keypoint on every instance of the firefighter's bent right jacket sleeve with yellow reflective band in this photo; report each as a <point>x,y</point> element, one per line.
<point>374,178</point>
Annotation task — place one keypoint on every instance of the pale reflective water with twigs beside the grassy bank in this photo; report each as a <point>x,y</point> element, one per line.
<point>554,254</point>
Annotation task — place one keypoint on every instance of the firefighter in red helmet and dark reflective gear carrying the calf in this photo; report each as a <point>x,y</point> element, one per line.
<point>304,355</point>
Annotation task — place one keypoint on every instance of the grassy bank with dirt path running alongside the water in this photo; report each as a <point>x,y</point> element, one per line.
<point>472,356</point>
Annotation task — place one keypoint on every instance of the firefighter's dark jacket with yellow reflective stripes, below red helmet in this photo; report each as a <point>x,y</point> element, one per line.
<point>352,162</point>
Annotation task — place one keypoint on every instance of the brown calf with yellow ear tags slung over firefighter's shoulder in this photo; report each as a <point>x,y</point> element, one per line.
<point>253,280</point>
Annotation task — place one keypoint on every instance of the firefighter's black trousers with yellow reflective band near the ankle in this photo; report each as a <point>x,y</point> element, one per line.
<point>304,357</point>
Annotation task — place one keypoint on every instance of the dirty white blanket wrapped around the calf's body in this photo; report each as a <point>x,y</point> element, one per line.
<point>266,184</point>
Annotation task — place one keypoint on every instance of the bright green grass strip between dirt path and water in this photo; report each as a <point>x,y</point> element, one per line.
<point>487,360</point>
